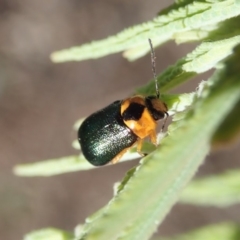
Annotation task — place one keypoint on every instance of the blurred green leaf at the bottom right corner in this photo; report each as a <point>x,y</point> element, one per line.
<point>219,231</point>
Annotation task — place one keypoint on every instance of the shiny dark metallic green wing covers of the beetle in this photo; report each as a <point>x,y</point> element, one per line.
<point>103,135</point>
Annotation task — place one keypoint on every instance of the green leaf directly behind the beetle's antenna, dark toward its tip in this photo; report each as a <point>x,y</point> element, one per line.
<point>206,56</point>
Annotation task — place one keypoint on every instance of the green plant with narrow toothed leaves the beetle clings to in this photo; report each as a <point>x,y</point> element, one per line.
<point>204,118</point>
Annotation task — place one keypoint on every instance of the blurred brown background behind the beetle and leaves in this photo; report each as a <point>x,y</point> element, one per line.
<point>40,101</point>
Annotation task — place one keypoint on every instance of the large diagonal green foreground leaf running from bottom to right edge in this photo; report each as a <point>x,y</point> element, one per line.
<point>147,196</point>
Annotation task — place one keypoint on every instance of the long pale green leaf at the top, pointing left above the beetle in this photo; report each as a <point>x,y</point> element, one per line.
<point>178,18</point>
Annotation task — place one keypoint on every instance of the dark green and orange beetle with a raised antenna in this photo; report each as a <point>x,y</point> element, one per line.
<point>108,133</point>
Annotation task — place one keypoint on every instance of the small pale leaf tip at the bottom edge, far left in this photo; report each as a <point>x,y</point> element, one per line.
<point>49,234</point>
